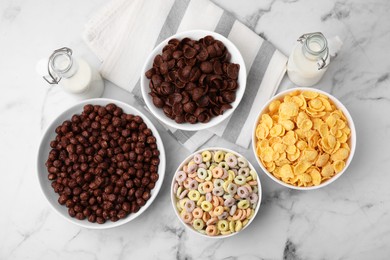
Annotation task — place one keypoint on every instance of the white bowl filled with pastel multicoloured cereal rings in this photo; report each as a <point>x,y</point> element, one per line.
<point>216,192</point>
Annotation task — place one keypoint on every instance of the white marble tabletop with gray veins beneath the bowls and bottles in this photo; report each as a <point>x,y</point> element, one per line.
<point>347,220</point>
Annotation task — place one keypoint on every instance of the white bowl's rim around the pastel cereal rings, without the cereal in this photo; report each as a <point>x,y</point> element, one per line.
<point>174,200</point>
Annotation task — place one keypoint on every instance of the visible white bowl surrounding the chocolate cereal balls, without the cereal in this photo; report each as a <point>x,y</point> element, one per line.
<point>44,150</point>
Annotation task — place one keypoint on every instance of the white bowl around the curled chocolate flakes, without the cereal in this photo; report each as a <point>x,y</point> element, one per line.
<point>196,35</point>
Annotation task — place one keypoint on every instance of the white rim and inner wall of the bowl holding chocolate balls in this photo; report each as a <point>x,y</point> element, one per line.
<point>66,113</point>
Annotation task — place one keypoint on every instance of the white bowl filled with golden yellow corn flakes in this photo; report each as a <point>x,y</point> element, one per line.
<point>304,138</point>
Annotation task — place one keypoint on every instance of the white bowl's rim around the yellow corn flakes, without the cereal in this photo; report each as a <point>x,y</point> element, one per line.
<point>351,142</point>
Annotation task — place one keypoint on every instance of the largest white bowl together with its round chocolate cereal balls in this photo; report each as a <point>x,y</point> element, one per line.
<point>101,163</point>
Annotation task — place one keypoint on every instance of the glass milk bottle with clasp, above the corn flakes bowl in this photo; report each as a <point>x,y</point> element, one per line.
<point>309,60</point>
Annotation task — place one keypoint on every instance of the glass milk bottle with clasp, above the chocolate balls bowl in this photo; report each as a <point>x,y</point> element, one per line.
<point>74,75</point>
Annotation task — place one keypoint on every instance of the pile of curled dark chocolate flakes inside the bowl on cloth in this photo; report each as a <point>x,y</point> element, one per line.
<point>193,80</point>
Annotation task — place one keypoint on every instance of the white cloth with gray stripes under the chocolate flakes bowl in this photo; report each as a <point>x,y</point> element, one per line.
<point>123,33</point>
